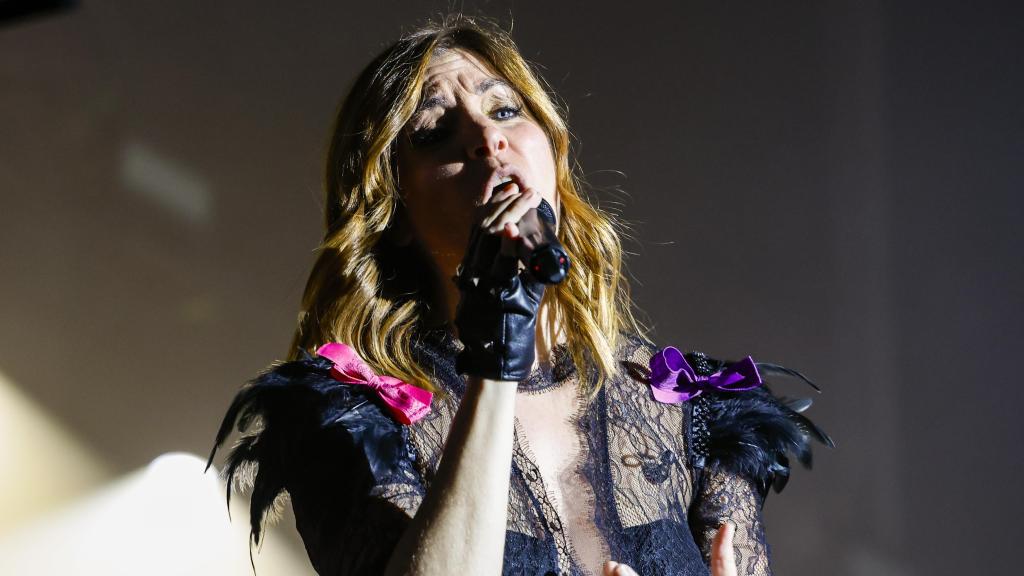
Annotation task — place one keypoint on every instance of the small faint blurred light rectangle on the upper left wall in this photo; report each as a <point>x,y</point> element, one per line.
<point>169,184</point>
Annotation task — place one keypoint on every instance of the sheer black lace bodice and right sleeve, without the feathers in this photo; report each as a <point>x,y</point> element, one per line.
<point>629,488</point>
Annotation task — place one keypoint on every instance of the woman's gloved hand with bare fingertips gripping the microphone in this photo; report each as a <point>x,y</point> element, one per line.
<point>497,313</point>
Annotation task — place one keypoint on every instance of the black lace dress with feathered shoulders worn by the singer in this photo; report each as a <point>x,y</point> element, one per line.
<point>658,479</point>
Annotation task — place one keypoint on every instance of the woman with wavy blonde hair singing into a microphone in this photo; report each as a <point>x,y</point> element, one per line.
<point>456,404</point>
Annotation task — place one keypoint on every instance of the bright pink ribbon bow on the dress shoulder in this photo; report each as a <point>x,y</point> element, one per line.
<point>406,402</point>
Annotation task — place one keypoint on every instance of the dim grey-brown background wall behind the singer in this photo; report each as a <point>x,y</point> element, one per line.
<point>833,186</point>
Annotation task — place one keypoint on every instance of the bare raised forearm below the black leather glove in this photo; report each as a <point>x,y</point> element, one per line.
<point>460,526</point>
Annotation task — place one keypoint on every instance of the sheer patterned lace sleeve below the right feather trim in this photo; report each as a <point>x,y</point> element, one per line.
<point>732,498</point>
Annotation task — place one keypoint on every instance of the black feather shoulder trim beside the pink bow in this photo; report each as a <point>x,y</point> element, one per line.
<point>285,416</point>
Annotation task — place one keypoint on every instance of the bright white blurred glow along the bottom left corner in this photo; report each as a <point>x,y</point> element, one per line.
<point>168,519</point>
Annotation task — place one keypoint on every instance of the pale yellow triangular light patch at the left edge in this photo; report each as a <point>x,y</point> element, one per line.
<point>44,465</point>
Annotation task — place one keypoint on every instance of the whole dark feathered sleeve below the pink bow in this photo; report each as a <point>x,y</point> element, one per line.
<point>347,467</point>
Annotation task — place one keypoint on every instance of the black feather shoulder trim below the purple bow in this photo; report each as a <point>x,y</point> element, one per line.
<point>752,433</point>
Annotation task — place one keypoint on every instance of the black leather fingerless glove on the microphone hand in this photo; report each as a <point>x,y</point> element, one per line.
<point>497,314</point>
